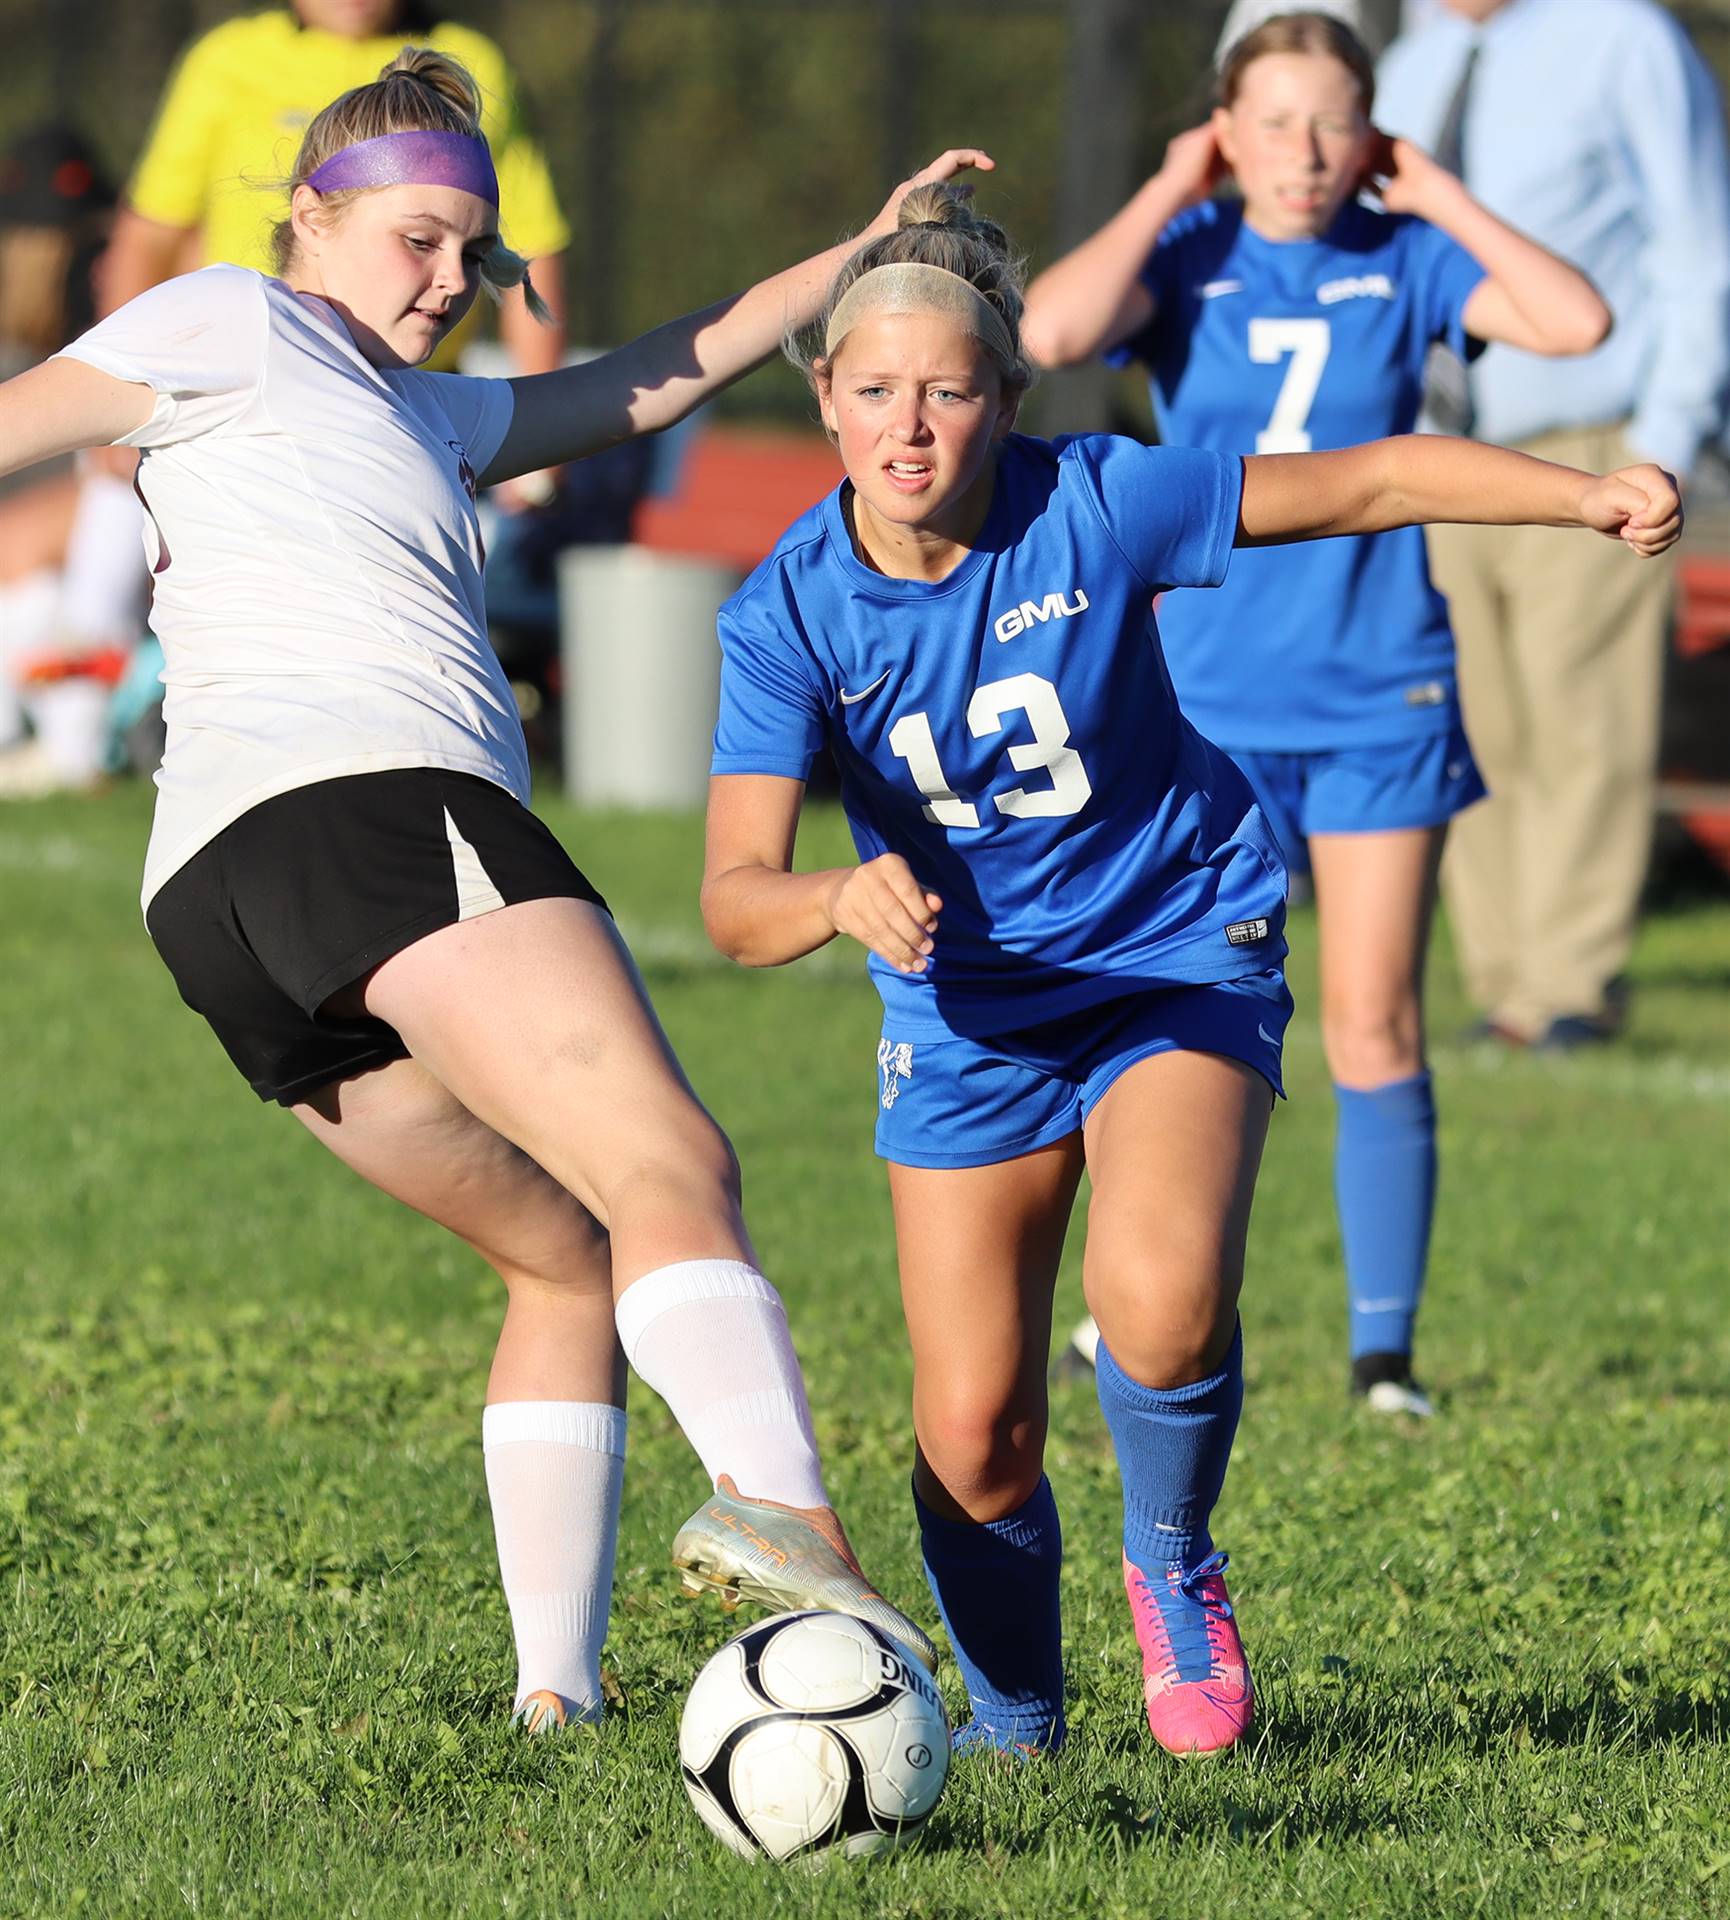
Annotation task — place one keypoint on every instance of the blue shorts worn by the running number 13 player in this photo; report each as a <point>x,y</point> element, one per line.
<point>973,1103</point>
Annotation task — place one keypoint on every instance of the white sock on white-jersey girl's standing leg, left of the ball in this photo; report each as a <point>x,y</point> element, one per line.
<point>554,1472</point>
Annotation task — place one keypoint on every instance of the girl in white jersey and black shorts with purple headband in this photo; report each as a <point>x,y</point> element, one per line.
<point>345,876</point>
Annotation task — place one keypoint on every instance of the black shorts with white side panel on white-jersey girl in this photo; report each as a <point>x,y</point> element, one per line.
<point>310,892</point>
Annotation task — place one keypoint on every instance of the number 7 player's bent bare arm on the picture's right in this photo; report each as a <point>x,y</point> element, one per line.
<point>1529,297</point>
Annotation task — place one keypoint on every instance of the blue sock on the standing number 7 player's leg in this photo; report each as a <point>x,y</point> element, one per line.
<point>1385,1182</point>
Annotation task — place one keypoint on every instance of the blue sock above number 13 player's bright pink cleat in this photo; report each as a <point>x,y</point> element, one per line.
<point>1174,1445</point>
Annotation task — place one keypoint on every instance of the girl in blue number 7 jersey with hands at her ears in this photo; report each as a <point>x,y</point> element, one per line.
<point>1299,318</point>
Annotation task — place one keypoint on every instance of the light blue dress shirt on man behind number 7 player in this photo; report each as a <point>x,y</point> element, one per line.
<point>1597,130</point>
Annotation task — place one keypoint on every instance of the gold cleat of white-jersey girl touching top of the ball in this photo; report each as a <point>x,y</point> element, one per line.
<point>786,1560</point>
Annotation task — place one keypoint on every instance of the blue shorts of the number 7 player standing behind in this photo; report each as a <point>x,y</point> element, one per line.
<point>1362,790</point>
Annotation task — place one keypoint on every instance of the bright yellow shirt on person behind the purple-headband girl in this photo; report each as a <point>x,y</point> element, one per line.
<point>241,99</point>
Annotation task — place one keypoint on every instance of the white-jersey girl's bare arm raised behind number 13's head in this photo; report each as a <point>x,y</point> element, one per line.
<point>671,372</point>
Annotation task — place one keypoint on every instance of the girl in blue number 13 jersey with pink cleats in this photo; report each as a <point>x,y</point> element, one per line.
<point>1072,907</point>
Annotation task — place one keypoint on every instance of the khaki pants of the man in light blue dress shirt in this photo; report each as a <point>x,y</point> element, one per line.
<point>1560,638</point>
